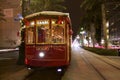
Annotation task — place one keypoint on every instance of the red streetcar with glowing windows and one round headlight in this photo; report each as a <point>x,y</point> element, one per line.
<point>47,39</point>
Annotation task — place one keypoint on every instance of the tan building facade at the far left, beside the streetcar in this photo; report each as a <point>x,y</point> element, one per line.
<point>9,29</point>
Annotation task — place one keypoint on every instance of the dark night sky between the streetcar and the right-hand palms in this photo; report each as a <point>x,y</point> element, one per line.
<point>73,7</point>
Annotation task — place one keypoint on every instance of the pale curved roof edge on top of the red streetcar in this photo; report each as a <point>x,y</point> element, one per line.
<point>51,13</point>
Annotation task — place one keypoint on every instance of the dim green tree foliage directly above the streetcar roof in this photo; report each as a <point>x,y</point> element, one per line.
<point>43,5</point>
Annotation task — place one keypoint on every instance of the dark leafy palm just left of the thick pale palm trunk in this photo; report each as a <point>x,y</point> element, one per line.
<point>92,18</point>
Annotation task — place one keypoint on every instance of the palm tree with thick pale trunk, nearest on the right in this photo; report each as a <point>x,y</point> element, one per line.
<point>90,4</point>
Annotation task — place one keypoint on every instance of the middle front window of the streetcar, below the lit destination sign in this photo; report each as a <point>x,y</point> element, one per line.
<point>43,31</point>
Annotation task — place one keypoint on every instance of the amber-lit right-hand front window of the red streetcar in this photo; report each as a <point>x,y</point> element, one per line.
<point>58,31</point>
